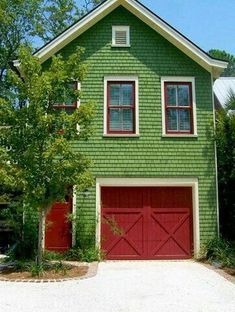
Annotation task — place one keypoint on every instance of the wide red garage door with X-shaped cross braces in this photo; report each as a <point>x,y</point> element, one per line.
<point>146,222</point>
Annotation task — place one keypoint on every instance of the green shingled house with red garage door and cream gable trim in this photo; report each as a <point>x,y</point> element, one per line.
<point>155,195</point>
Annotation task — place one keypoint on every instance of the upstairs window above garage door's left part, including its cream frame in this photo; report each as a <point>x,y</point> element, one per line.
<point>121,106</point>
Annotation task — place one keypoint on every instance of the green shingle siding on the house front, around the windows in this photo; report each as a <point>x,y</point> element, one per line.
<point>150,57</point>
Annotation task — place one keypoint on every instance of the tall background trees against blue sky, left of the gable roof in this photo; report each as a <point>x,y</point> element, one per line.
<point>27,22</point>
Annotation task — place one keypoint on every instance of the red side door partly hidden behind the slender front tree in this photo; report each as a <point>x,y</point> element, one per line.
<point>58,229</point>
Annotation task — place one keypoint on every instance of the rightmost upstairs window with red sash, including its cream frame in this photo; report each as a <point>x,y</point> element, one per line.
<point>178,106</point>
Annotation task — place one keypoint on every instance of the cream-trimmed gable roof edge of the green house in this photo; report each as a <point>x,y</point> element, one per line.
<point>212,65</point>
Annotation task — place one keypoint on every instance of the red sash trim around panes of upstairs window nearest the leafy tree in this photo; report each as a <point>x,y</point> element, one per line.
<point>133,107</point>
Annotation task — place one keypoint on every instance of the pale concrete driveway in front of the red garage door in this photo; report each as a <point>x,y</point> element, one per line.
<point>127,286</point>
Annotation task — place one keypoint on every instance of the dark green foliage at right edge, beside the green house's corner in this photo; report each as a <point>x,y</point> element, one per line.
<point>225,139</point>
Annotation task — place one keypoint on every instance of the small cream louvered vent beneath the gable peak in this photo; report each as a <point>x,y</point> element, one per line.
<point>121,36</point>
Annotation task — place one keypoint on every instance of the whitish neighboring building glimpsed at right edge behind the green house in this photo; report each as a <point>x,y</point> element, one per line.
<point>223,88</point>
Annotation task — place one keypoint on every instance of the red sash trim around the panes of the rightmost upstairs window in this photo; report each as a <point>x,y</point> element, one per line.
<point>190,107</point>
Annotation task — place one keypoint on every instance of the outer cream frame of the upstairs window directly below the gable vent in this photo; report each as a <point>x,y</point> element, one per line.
<point>122,79</point>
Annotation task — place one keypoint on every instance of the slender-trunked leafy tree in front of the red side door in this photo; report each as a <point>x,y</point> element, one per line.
<point>36,154</point>
